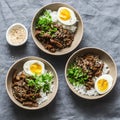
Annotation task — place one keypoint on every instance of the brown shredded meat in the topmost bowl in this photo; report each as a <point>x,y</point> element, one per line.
<point>61,39</point>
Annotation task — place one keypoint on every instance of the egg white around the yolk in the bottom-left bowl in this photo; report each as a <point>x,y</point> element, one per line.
<point>26,66</point>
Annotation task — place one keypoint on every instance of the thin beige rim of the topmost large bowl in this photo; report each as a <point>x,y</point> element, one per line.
<point>60,53</point>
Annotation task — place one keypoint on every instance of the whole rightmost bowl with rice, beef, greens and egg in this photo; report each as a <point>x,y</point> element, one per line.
<point>90,73</point>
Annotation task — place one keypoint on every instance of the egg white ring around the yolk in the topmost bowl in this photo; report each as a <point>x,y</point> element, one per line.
<point>71,21</point>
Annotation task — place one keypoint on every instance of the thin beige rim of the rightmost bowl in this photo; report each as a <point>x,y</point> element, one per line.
<point>85,96</point>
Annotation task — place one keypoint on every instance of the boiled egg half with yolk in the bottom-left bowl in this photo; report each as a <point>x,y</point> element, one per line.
<point>34,67</point>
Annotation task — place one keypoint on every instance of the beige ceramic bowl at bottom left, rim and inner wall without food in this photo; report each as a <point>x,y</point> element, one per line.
<point>18,65</point>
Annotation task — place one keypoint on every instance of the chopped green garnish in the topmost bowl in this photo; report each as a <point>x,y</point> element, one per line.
<point>45,23</point>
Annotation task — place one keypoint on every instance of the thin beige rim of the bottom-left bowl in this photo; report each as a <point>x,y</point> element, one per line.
<point>15,101</point>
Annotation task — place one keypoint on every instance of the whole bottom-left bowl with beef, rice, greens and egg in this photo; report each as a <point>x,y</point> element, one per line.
<point>32,83</point>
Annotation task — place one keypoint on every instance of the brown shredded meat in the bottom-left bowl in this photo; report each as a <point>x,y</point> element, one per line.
<point>22,92</point>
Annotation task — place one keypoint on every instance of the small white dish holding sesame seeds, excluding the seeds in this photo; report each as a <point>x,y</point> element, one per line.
<point>13,26</point>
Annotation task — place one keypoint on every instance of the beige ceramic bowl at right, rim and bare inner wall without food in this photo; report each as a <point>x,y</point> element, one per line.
<point>104,56</point>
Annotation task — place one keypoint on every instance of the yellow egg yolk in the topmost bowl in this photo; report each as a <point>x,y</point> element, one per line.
<point>64,14</point>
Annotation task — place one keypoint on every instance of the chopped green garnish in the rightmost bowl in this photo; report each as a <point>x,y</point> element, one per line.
<point>76,76</point>
